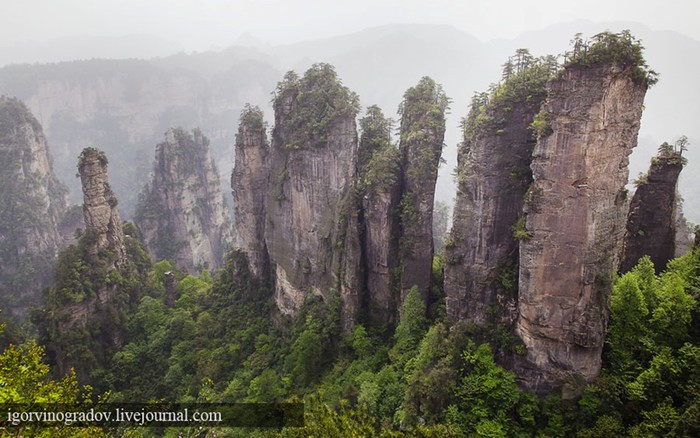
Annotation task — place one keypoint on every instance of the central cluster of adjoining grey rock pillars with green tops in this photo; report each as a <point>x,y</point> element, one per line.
<point>340,219</point>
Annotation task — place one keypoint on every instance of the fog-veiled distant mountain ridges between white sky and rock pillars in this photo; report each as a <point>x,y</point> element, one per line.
<point>379,63</point>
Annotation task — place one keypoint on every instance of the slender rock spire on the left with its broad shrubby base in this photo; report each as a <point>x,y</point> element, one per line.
<point>97,281</point>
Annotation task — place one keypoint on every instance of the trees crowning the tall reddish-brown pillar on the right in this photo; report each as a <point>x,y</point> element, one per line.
<point>608,47</point>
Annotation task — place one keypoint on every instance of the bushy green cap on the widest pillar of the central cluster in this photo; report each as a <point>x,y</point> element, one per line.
<point>318,99</point>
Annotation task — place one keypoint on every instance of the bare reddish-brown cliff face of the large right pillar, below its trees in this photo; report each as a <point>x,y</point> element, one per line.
<point>575,220</point>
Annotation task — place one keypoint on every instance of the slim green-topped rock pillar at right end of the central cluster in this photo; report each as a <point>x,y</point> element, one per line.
<point>422,135</point>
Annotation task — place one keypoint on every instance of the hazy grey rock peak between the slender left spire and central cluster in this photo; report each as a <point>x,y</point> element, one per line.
<point>181,213</point>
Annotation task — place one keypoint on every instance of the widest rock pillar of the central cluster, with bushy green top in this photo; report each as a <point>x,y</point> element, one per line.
<point>312,168</point>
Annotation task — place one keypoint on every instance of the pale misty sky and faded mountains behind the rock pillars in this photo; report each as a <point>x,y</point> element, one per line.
<point>196,62</point>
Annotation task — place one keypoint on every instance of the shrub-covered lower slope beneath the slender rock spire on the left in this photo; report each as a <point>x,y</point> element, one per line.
<point>87,282</point>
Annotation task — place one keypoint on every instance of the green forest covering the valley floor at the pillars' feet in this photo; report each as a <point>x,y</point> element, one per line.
<point>217,343</point>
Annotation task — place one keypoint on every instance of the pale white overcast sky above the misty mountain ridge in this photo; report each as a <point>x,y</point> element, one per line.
<point>206,24</point>
